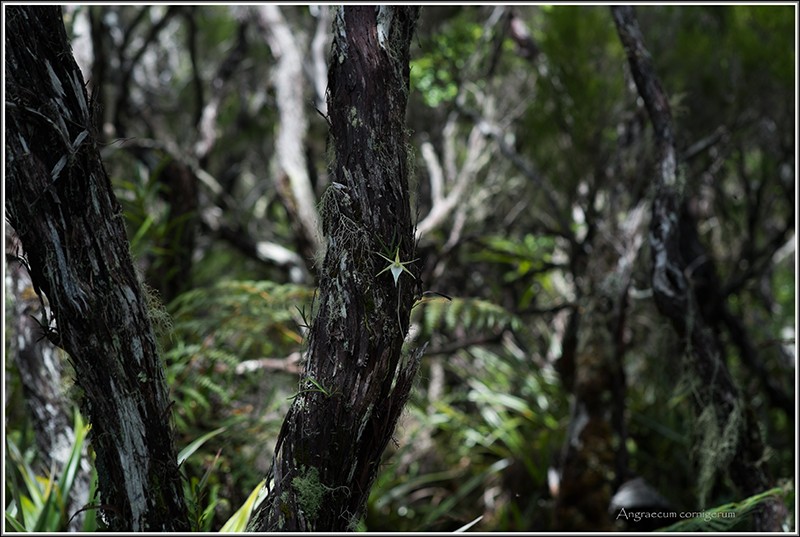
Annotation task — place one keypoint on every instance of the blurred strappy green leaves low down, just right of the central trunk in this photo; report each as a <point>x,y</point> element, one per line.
<point>496,422</point>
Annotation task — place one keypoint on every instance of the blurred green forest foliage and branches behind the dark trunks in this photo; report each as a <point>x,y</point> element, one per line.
<point>530,114</point>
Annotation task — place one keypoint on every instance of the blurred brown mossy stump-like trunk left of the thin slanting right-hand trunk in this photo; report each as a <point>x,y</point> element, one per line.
<point>594,457</point>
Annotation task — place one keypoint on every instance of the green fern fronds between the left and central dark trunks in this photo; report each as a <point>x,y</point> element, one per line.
<point>215,331</point>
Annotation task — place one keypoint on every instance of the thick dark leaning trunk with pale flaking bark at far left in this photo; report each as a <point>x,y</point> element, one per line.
<point>61,203</point>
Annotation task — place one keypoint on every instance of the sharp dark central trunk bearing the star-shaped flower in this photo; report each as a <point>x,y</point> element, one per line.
<point>357,378</point>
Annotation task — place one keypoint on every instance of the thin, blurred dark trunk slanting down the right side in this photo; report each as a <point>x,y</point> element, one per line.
<point>682,274</point>
